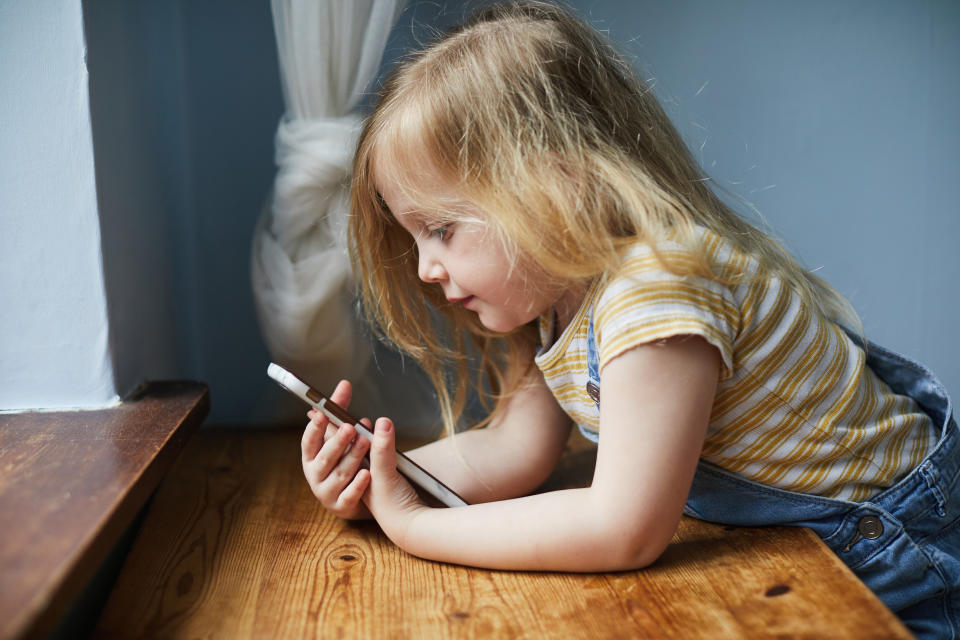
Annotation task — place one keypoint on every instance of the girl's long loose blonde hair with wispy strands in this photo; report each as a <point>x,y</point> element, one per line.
<point>530,114</point>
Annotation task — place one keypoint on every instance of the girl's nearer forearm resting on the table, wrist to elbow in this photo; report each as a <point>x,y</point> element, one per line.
<point>569,530</point>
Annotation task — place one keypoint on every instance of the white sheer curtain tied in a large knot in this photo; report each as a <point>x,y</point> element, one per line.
<point>329,52</point>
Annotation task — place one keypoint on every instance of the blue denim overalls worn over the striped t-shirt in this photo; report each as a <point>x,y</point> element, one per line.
<point>903,543</point>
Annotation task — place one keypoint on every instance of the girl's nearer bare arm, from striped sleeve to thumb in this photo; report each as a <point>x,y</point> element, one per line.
<point>654,414</point>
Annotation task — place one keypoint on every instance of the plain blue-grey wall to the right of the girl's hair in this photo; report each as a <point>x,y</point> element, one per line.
<point>839,122</point>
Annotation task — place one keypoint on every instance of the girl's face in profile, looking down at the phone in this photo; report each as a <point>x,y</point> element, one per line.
<point>468,262</point>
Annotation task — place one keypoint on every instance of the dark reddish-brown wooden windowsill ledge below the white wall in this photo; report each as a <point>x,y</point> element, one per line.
<point>70,483</point>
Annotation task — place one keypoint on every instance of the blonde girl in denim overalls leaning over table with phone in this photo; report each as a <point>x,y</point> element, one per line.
<point>520,199</point>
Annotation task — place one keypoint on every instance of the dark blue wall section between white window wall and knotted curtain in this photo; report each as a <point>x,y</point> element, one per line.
<point>185,99</point>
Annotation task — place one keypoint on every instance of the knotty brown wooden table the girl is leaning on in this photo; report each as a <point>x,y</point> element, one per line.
<point>236,546</point>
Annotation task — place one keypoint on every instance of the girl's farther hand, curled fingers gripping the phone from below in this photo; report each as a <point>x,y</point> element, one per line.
<point>332,460</point>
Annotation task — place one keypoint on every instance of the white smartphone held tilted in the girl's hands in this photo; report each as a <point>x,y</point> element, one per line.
<point>338,416</point>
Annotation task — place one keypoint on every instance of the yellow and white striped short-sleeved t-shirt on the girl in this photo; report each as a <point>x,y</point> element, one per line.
<point>796,406</point>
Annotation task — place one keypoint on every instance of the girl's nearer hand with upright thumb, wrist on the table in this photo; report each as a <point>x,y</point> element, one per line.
<point>390,498</point>
